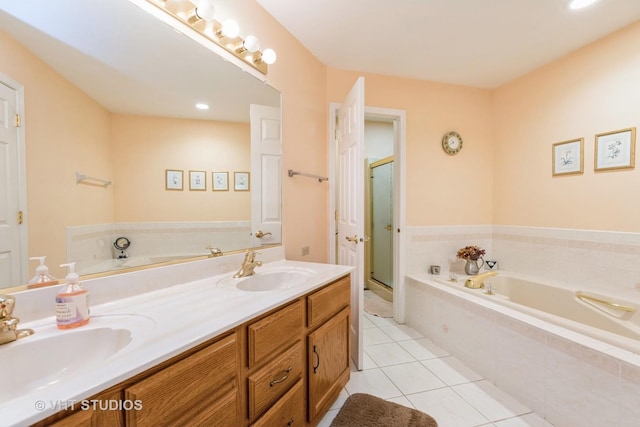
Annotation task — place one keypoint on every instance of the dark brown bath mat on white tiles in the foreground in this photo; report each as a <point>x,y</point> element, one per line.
<point>364,410</point>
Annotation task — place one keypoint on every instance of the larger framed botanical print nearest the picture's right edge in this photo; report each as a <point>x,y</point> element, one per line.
<point>615,150</point>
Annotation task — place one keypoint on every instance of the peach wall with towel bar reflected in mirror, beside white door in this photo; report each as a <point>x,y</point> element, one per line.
<point>65,132</point>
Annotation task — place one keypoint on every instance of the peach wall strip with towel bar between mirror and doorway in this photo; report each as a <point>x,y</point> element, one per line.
<point>302,80</point>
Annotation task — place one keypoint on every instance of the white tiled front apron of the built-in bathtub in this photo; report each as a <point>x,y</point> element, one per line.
<point>569,383</point>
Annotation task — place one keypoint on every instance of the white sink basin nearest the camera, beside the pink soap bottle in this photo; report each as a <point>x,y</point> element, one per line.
<point>50,355</point>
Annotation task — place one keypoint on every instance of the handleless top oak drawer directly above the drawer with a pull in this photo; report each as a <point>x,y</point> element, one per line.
<point>275,332</point>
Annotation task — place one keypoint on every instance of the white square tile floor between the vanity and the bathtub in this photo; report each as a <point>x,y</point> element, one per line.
<point>402,366</point>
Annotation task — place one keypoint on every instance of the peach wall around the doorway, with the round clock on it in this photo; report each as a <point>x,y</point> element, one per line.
<point>441,189</point>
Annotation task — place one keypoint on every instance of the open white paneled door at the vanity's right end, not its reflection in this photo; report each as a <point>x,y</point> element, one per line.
<point>350,218</point>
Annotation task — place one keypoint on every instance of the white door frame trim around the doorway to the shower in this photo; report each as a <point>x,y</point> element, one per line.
<point>399,118</point>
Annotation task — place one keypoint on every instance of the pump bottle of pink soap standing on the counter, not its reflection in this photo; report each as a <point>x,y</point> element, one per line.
<point>72,302</point>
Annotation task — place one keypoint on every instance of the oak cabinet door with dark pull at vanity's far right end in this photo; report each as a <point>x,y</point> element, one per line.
<point>328,362</point>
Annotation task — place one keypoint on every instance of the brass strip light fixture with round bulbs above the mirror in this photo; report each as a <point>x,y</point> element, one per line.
<point>200,16</point>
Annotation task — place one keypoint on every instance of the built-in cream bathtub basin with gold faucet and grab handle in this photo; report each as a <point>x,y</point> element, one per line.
<point>580,310</point>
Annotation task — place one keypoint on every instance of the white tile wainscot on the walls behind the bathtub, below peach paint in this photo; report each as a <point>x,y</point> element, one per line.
<point>605,261</point>
